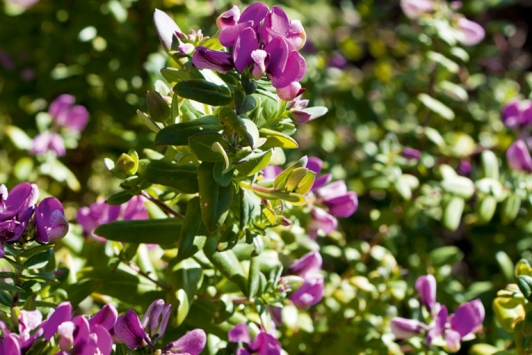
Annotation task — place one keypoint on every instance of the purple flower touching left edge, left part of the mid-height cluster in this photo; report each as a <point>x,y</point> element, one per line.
<point>16,209</point>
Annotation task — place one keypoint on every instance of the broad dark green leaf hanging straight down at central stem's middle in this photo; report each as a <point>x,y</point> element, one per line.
<point>215,200</point>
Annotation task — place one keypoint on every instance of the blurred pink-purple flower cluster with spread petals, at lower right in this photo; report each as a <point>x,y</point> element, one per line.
<point>445,330</point>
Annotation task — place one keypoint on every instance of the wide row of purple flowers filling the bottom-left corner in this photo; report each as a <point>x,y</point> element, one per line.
<point>96,335</point>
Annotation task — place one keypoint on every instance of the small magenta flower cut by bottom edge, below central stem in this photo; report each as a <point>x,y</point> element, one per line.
<point>263,344</point>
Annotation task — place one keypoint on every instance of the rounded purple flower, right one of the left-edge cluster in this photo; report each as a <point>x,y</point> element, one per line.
<point>50,221</point>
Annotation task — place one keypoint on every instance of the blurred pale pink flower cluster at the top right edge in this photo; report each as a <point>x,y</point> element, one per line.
<point>469,33</point>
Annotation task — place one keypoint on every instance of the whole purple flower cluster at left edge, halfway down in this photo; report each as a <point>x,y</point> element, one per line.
<point>20,214</point>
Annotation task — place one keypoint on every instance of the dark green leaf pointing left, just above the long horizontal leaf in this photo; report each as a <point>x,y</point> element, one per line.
<point>181,177</point>
